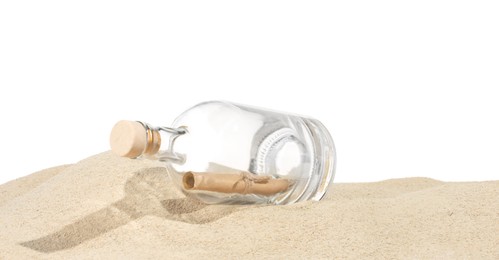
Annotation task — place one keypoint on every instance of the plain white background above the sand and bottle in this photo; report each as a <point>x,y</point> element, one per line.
<point>407,88</point>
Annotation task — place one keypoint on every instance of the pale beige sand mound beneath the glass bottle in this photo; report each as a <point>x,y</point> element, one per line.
<point>108,207</point>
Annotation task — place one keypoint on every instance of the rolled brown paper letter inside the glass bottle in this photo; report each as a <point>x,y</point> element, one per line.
<point>244,183</point>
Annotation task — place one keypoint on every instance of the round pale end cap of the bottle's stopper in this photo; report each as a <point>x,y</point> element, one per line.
<point>128,139</point>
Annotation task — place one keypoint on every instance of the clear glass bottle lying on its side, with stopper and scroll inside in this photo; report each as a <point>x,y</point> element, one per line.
<point>221,152</point>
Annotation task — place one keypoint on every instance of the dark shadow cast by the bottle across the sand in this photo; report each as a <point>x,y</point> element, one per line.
<point>148,193</point>
